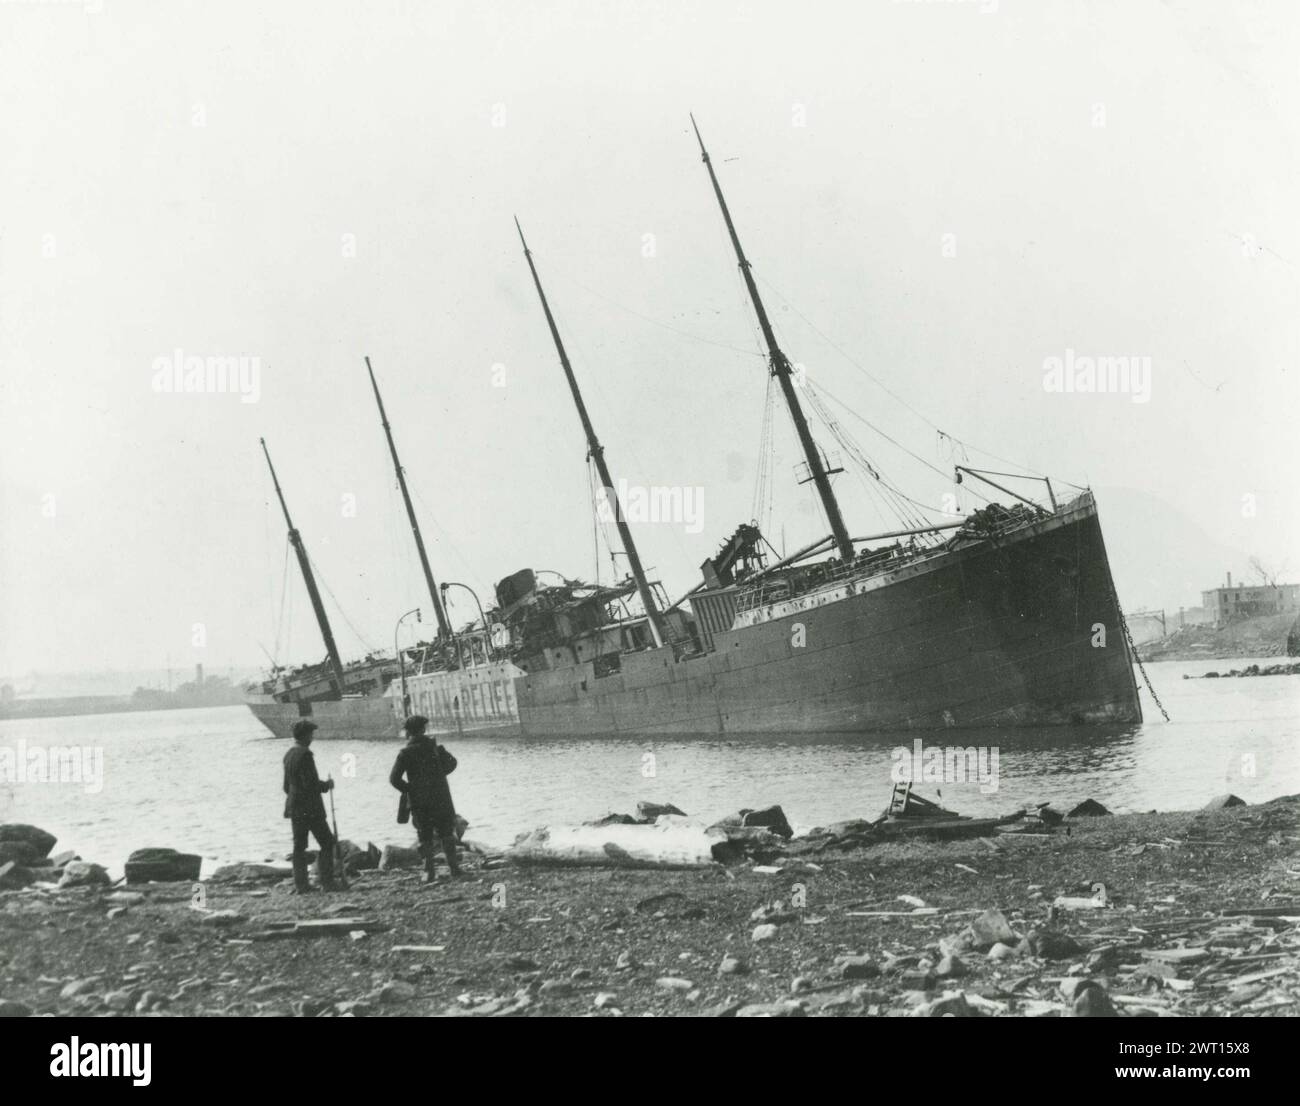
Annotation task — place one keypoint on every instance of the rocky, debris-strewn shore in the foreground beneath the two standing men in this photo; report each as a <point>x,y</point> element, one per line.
<point>1136,916</point>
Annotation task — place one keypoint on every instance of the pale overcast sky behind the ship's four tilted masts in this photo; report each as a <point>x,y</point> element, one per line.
<point>937,198</point>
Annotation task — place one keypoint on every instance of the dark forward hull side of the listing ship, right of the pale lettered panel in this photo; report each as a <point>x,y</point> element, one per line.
<point>1016,631</point>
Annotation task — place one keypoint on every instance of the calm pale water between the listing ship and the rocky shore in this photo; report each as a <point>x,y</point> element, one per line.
<point>209,780</point>
